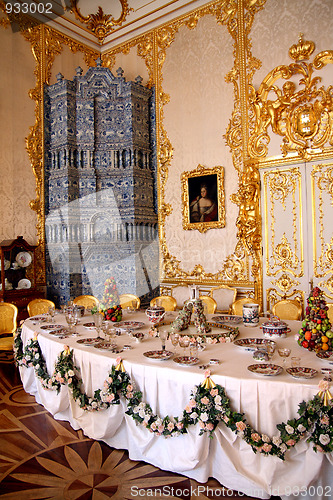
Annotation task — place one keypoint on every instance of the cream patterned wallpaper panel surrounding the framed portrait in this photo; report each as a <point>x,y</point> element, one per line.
<point>196,118</point>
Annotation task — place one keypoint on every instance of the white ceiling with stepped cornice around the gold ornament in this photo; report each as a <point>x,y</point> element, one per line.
<point>143,16</point>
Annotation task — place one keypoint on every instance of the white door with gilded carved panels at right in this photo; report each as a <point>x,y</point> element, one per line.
<point>297,230</point>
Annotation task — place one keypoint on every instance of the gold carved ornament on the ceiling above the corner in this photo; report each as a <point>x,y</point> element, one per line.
<point>100,24</point>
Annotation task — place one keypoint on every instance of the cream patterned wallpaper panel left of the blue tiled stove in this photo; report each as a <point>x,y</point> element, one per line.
<point>17,185</point>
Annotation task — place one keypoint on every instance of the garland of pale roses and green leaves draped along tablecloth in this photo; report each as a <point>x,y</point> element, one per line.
<point>208,406</point>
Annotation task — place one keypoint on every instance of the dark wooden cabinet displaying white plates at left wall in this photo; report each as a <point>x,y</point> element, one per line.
<point>18,274</point>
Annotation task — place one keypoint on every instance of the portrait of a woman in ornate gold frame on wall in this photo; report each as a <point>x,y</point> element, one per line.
<point>203,198</point>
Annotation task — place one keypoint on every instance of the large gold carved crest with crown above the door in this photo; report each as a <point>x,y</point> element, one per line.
<point>301,114</point>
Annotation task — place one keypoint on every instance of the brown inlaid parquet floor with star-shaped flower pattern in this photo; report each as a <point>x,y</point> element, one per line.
<point>42,458</point>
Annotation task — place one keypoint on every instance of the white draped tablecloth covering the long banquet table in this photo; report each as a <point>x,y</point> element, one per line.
<point>166,386</point>
